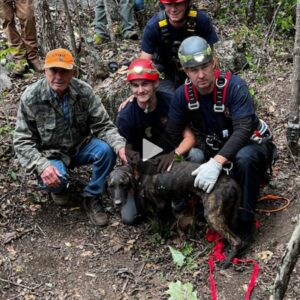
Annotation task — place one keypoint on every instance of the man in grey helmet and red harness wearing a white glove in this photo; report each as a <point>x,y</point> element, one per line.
<point>222,115</point>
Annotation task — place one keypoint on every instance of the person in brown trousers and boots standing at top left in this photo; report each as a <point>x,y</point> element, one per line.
<point>24,41</point>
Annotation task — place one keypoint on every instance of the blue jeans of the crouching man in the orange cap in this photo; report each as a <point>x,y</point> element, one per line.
<point>95,152</point>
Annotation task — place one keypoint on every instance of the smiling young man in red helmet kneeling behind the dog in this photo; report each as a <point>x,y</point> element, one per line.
<point>145,117</point>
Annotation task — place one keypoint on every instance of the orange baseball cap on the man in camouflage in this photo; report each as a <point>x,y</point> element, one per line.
<point>59,58</point>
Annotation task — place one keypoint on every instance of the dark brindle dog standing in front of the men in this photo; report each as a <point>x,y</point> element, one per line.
<point>220,206</point>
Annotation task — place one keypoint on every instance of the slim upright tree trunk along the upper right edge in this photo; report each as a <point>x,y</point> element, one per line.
<point>293,131</point>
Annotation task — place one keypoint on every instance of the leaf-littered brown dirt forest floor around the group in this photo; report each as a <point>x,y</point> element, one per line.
<point>49,252</point>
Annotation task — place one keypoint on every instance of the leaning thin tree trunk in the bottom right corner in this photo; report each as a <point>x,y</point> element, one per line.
<point>288,262</point>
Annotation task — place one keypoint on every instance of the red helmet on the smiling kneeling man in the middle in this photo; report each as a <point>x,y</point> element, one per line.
<point>142,68</point>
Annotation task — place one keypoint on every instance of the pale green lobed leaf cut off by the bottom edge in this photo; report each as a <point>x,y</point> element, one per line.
<point>179,291</point>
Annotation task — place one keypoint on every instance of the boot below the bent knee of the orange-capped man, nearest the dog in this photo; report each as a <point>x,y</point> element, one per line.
<point>95,210</point>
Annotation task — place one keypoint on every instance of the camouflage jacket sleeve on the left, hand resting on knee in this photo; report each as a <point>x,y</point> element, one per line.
<point>25,140</point>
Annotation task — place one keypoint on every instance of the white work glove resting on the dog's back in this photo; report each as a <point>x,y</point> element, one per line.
<point>207,175</point>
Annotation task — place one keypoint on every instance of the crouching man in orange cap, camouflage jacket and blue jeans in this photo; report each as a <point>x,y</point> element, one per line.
<point>61,124</point>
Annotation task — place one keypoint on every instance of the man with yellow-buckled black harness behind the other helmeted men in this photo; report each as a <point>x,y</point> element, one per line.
<point>165,31</point>
